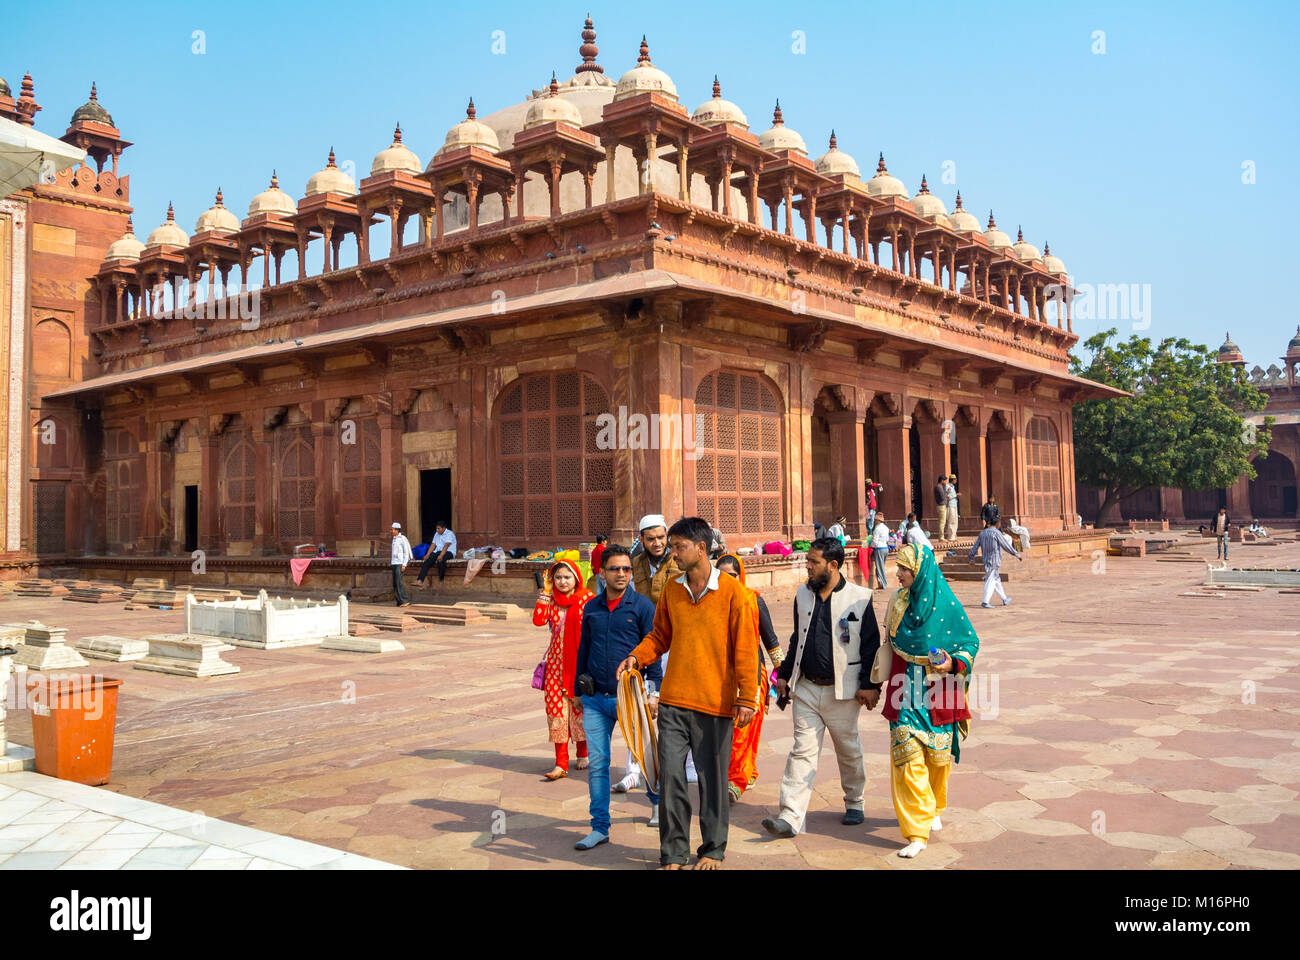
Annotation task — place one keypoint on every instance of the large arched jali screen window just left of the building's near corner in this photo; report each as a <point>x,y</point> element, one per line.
<point>556,485</point>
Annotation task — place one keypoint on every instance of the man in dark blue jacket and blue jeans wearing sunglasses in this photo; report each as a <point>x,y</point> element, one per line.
<point>614,622</point>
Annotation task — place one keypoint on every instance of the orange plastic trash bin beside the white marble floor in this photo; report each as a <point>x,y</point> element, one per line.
<point>73,717</point>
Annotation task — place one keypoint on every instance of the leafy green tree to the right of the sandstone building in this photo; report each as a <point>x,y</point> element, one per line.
<point>1184,425</point>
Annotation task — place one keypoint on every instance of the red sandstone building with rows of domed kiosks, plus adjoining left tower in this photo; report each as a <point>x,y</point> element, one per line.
<point>443,340</point>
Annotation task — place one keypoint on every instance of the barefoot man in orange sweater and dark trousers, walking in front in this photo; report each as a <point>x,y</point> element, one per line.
<point>709,686</point>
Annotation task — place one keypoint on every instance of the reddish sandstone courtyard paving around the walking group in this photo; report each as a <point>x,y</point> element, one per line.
<point>1134,728</point>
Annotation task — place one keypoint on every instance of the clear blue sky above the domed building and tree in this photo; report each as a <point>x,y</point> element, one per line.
<point>1130,162</point>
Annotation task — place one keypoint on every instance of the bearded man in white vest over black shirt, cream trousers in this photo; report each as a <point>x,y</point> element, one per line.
<point>827,673</point>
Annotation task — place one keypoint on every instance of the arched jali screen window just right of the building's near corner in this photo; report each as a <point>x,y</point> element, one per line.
<point>739,442</point>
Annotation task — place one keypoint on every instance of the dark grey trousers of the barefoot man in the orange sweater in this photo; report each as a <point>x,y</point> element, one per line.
<point>709,738</point>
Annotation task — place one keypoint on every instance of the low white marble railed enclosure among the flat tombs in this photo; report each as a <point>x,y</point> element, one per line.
<point>267,624</point>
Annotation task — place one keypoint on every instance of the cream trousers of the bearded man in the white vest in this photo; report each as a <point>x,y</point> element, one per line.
<point>816,712</point>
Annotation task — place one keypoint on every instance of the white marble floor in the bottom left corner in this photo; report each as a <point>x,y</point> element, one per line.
<point>49,824</point>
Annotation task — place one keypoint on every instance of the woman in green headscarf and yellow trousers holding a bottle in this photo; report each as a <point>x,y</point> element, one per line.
<point>925,697</point>
